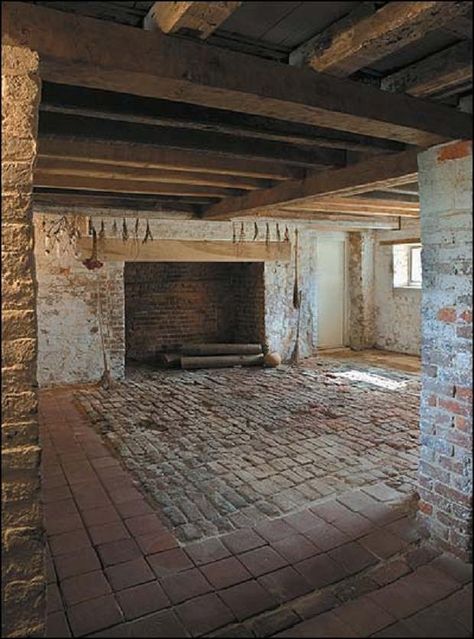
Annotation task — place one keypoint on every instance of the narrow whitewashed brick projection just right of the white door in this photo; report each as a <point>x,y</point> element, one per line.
<point>361,289</point>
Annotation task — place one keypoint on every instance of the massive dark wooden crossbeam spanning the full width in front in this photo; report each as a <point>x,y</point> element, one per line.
<point>86,52</point>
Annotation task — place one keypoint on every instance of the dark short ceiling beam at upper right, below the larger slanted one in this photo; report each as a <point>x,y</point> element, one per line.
<point>436,73</point>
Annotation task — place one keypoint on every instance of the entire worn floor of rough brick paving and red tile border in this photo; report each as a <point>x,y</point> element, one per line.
<point>350,563</point>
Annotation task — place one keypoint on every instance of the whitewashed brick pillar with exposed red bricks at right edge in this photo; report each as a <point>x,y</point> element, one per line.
<point>445,473</point>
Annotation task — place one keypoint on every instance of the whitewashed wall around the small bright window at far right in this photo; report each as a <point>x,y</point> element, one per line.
<point>397,310</point>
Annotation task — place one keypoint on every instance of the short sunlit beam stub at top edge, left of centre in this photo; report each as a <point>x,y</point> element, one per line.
<point>198,19</point>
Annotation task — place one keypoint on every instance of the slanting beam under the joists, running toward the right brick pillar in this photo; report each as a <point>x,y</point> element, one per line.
<point>369,175</point>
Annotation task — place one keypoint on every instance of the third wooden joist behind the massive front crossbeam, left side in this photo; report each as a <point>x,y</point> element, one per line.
<point>145,156</point>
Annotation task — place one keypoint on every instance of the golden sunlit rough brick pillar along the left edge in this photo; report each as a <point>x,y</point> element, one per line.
<point>22,534</point>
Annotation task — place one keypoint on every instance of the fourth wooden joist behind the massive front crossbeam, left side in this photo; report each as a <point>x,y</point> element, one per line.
<point>55,166</point>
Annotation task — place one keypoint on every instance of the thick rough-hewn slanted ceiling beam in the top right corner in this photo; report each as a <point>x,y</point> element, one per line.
<point>351,44</point>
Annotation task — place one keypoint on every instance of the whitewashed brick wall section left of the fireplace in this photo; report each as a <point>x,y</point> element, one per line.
<point>80,314</point>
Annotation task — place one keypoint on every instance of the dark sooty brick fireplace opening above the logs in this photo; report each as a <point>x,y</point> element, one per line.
<point>171,303</point>
